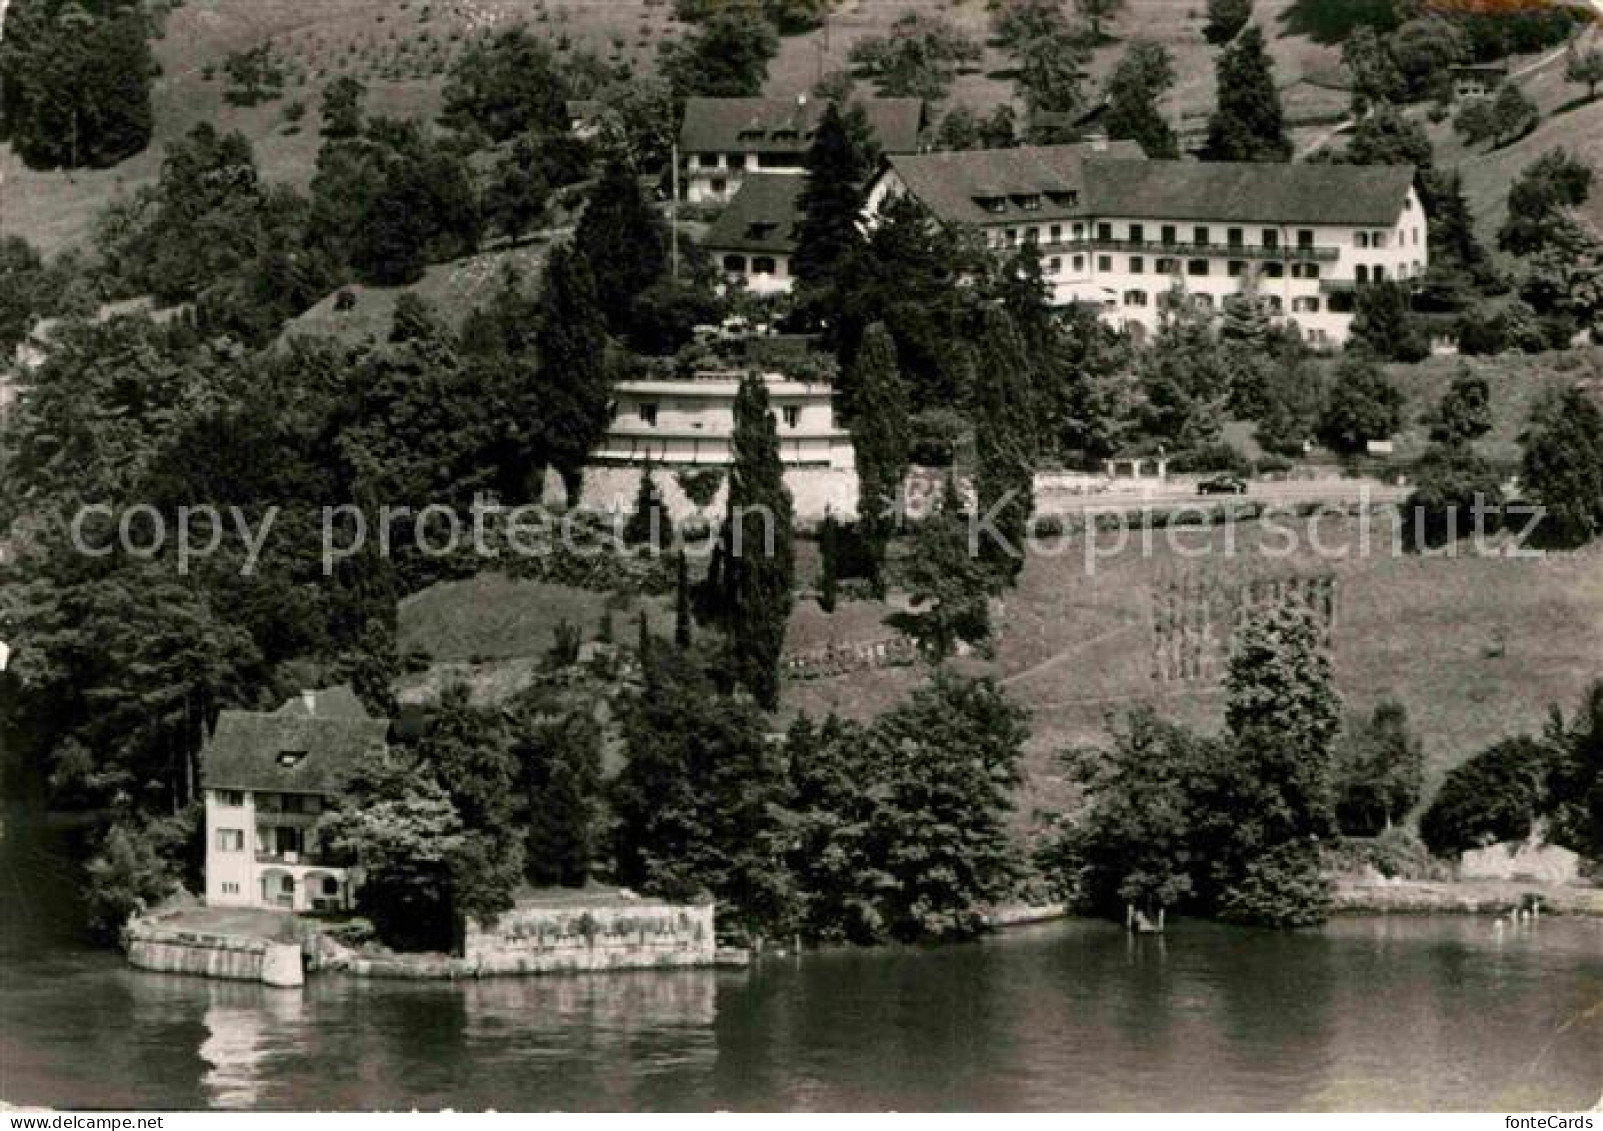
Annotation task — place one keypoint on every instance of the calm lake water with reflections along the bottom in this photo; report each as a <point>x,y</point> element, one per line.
<point>1402,1013</point>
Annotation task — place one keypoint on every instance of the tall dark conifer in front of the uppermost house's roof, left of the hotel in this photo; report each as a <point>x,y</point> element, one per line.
<point>839,164</point>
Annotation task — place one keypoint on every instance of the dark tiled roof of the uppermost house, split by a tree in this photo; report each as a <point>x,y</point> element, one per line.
<point>785,126</point>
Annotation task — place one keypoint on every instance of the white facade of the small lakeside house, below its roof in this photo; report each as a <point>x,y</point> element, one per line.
<point>262,851</point>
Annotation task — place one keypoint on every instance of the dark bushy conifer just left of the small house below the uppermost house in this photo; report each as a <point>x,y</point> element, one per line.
<point>624,241</point>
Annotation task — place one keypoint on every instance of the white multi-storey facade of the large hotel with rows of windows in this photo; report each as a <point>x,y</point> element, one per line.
<point>1126,267</point>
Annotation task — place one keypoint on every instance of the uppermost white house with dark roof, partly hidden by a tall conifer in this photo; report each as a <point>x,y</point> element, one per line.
<point>724,140</point>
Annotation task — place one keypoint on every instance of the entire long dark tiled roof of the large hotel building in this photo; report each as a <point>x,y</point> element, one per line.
<point>1078,182</point>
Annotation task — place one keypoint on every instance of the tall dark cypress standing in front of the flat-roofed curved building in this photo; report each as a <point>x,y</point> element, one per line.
<point>759,558</point>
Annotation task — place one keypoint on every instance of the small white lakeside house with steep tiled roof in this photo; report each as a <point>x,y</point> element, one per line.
<point>269,778</point>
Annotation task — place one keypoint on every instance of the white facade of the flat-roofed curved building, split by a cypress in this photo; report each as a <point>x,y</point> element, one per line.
<point>692,422</point>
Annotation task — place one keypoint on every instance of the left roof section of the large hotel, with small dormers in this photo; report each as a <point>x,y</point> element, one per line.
<point>951,185</point>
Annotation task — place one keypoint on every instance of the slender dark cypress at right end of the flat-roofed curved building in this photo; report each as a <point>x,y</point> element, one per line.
<point>879,433</point>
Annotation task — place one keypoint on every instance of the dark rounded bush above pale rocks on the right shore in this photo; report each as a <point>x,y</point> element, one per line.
<point>1495,797</point>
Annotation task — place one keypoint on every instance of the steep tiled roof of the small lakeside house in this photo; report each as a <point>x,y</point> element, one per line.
<point>331,735</point>
